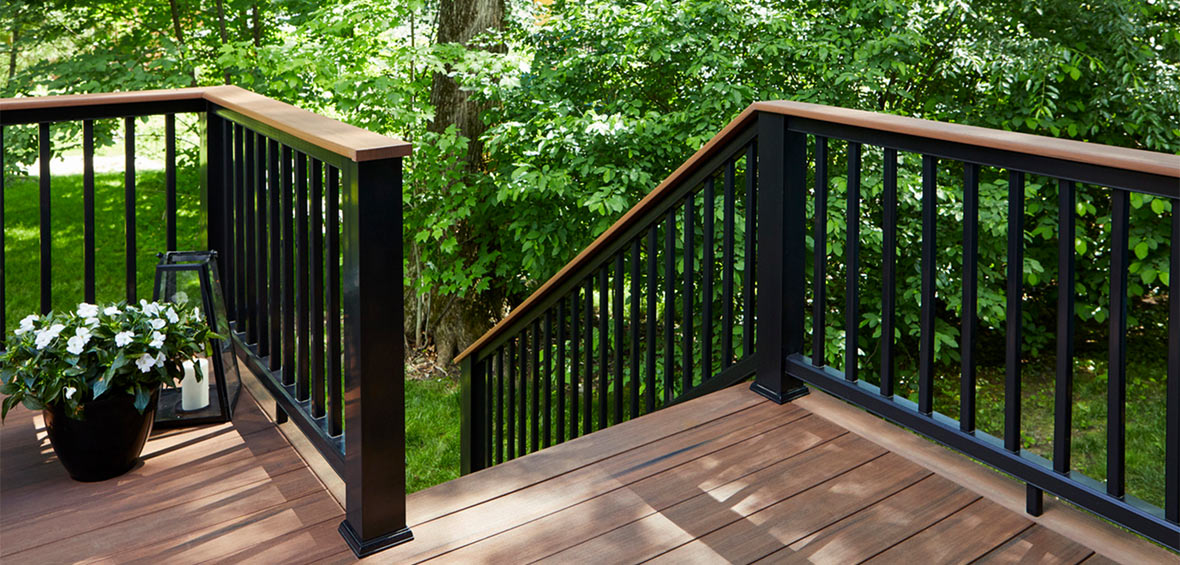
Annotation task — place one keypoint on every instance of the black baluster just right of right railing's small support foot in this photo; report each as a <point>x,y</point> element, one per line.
<point>1064,390</point>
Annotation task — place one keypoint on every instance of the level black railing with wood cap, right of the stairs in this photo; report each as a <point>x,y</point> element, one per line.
<point>1113,173</point>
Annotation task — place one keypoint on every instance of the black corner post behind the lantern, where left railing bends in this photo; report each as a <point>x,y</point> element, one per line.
<point>213,189</point>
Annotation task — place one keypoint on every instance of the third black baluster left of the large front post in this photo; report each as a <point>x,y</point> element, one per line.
<point>303,314</point>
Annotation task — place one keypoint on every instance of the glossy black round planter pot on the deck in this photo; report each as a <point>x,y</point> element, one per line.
<point>108,442</point>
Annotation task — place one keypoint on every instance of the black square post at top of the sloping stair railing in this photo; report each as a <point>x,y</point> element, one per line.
<point>782,218</point>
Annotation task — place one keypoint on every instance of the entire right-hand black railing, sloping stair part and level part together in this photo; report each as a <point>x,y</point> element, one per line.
<point>779,135</point>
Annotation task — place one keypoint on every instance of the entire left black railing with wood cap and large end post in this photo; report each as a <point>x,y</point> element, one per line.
<point>305,213</point>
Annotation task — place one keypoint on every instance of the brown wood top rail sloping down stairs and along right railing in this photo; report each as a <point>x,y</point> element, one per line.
<point>1131,160</point>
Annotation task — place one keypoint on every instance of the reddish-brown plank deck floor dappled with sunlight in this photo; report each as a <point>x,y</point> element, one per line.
<point>729,478</point>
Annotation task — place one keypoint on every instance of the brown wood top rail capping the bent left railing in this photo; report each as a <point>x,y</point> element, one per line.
<point>338,137</point>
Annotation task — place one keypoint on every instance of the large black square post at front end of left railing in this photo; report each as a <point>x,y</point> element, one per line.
<point>375,387</point>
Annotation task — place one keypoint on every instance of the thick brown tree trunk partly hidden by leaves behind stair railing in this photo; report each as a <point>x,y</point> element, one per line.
<point>463,320</point>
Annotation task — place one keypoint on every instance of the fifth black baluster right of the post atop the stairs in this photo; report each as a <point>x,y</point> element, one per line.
<point>971,293</point>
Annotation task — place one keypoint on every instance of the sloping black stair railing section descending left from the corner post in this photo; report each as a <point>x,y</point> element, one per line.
<point>660,310</point>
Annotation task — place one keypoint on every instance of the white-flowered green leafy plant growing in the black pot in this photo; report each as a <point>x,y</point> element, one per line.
<point>73,358</point>
